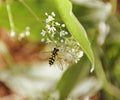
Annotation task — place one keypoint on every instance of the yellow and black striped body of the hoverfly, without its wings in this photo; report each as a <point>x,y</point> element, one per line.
<point>53,56</point>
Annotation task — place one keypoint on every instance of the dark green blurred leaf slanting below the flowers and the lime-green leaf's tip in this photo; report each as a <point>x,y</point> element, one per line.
<point>71,77</point>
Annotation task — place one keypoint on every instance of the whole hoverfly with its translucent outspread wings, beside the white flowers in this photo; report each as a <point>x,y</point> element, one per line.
<point>53,56</point>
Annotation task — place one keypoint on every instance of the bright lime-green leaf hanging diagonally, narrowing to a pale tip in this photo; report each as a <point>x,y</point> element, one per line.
<point>75,28</point>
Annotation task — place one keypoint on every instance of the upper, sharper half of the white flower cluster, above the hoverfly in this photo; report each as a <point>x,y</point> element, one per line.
<point>53,31</point>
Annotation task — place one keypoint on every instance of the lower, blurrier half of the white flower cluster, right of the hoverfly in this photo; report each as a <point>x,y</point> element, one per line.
<point>70,51</point>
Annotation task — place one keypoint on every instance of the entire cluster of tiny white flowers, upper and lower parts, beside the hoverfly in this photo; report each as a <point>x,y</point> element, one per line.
<point>55,33</point>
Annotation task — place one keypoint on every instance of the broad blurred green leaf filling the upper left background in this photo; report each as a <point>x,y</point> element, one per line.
<point>27,13</point>
